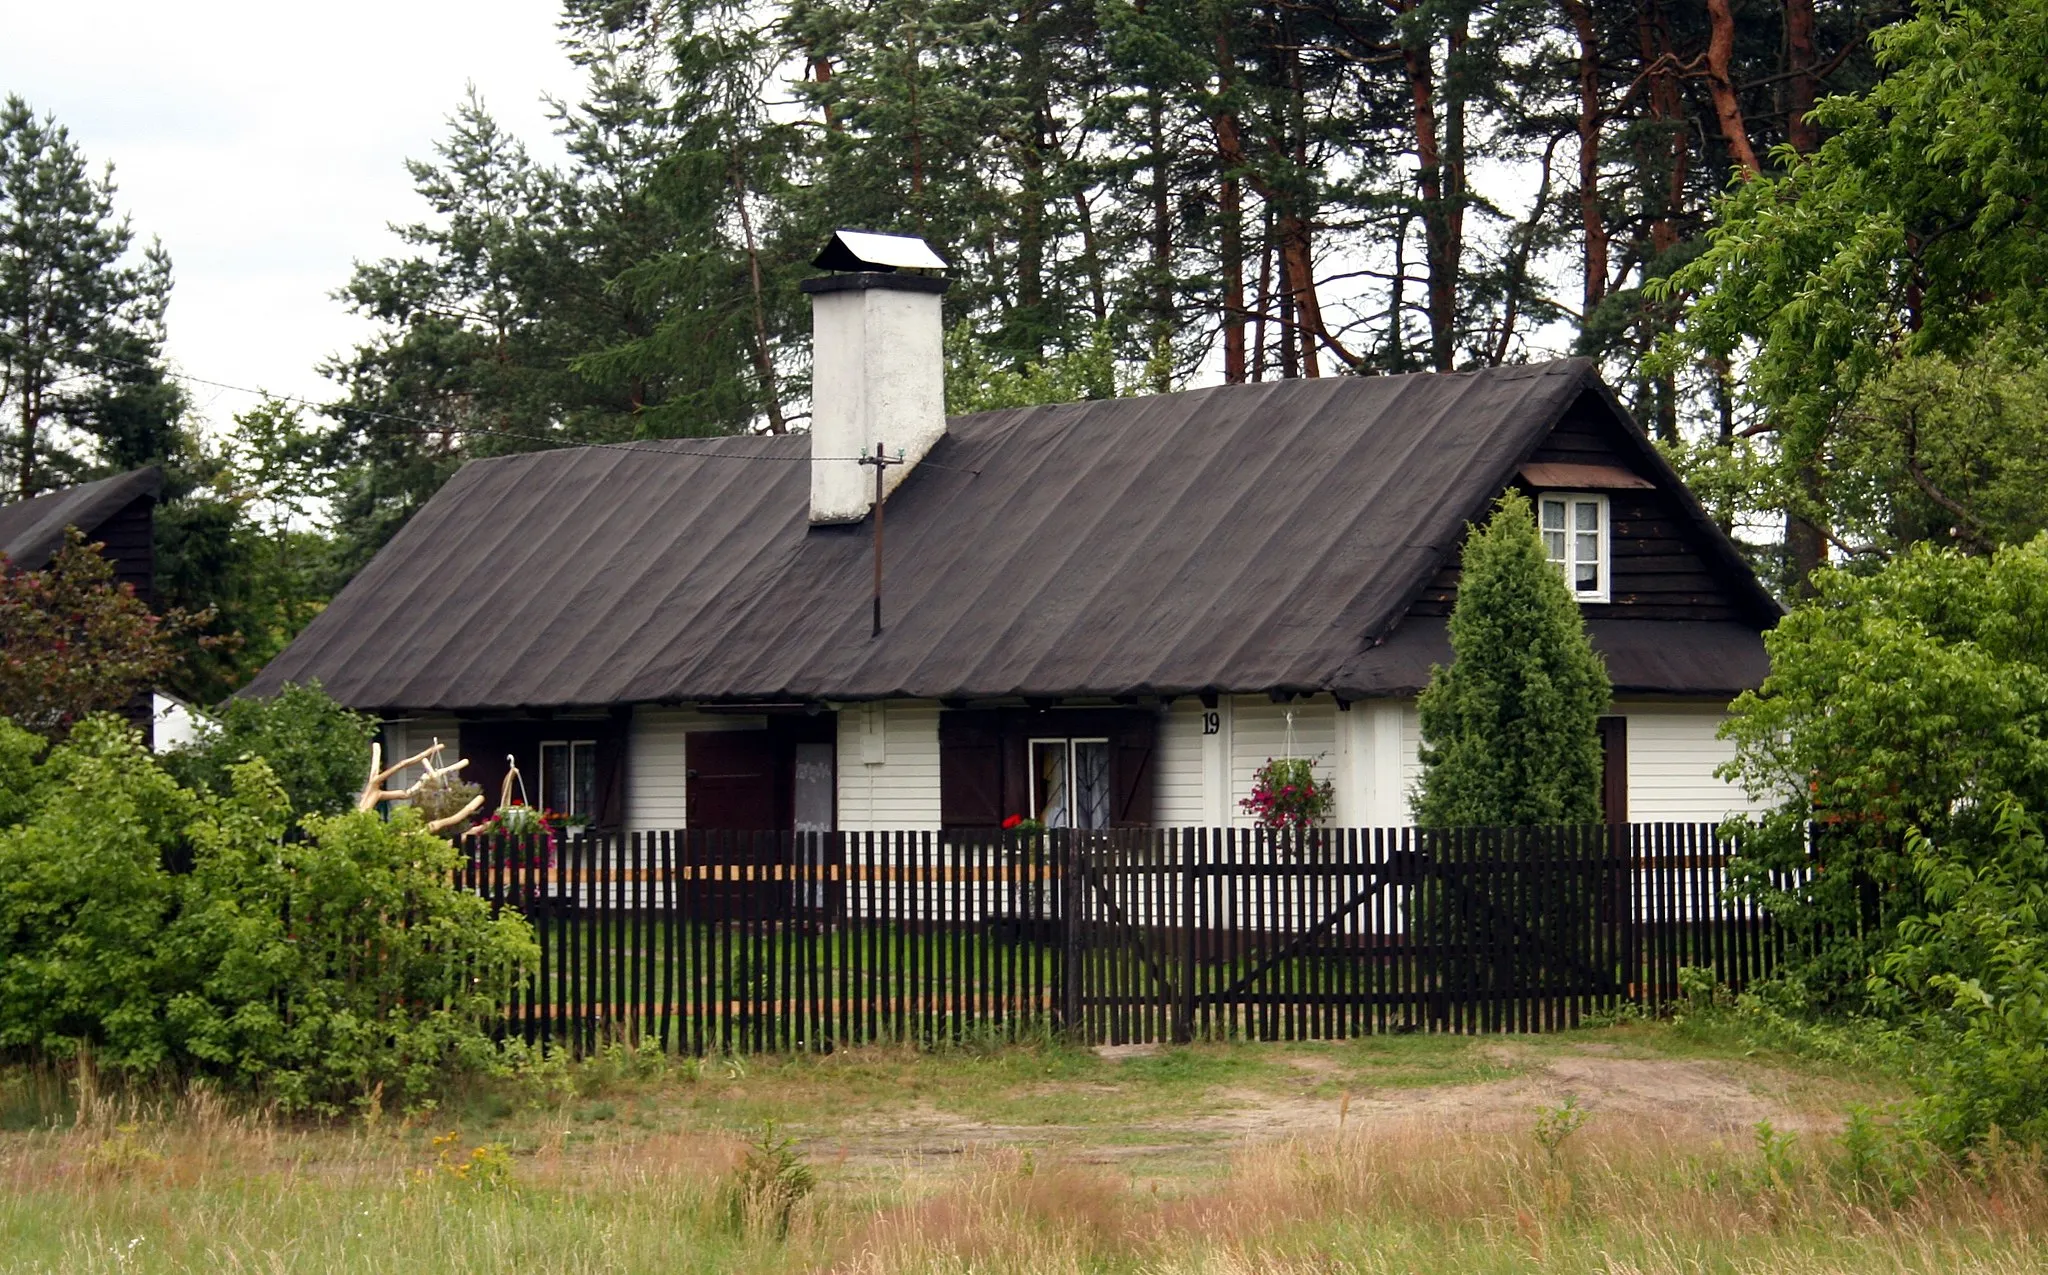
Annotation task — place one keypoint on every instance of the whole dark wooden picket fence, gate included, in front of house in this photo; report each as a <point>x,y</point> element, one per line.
<point>708,942</point>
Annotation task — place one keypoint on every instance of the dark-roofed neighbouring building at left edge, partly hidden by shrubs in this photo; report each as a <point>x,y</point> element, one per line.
<point>120,515</point>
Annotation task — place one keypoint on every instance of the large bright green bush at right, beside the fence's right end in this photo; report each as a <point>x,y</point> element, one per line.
<point>1904,736</point>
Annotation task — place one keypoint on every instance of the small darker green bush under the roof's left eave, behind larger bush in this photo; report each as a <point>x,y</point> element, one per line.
<point>318,750</point>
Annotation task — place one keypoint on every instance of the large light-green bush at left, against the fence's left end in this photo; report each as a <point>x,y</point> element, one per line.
<point>308,969</point>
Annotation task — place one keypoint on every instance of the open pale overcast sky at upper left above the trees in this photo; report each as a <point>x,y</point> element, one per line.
<point>267,146</point>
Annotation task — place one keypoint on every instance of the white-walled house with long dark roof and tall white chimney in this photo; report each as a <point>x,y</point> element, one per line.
<point>1099,613</point>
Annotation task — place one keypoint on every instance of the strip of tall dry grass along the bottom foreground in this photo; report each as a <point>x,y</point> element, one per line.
<point>194,1184</point>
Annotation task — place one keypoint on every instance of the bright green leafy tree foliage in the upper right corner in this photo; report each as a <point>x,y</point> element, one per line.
<point>1914,232</point>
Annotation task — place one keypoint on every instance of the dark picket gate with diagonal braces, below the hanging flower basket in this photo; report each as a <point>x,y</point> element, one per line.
<point>1330,934</point>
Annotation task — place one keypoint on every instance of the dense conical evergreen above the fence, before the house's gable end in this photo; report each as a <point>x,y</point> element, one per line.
<point>1512,726</point>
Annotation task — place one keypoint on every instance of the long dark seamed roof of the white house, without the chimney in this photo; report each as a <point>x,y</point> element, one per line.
<point>1236,539</point>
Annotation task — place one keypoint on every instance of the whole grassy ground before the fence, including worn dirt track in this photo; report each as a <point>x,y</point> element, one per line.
<point>1625,1149</point>
